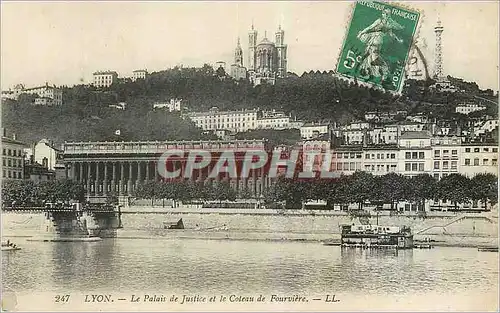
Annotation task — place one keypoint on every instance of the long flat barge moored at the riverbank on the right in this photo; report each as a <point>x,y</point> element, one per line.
<point>376,237</point>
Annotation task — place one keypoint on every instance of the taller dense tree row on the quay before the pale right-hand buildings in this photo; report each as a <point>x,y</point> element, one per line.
<point>363,187</point>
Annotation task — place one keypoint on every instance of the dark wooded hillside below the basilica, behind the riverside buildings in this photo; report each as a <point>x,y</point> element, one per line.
<point>314,96</point>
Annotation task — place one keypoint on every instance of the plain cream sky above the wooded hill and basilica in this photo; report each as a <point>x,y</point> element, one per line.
<point>63,43</point>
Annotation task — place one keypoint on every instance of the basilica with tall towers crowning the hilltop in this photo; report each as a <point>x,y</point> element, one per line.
<point>267,60</point>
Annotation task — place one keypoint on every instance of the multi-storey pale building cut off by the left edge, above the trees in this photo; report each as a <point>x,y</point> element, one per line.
<point>12,157</point>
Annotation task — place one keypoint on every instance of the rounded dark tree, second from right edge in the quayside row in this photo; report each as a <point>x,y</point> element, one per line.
<point>455,188</point>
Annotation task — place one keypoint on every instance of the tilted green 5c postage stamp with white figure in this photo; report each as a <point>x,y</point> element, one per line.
<point>378,43</point>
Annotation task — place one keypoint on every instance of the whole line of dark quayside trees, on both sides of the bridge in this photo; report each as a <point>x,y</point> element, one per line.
<point>359,188</point>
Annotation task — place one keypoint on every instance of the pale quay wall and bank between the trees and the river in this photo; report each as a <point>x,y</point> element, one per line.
<point>450,230</point>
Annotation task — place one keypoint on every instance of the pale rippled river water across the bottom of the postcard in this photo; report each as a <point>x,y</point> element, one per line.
<point>206,267</point>
